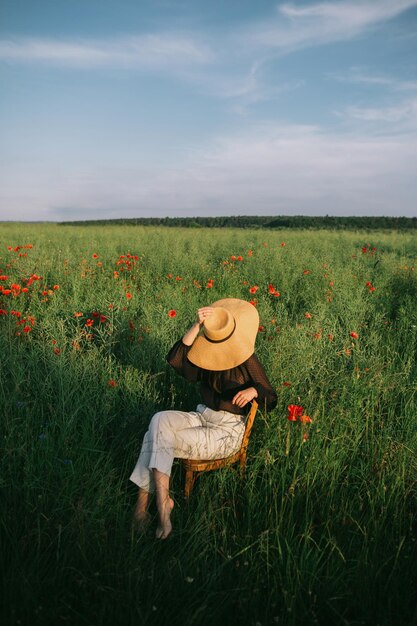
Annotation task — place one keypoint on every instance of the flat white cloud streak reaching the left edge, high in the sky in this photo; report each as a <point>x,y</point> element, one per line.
<point>146,51</point>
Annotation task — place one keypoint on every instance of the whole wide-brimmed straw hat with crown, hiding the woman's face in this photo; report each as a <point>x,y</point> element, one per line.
<point>228,337</point>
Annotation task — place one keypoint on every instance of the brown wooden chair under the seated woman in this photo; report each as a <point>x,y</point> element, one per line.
<point>194,467</point>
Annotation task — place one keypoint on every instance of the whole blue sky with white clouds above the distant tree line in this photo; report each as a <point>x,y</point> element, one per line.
<point>130,108</point>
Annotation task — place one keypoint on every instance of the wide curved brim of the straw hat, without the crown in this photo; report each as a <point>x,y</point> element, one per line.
<point>237,348</point>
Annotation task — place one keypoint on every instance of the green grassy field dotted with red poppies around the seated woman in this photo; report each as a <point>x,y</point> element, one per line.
<point>323,528</point>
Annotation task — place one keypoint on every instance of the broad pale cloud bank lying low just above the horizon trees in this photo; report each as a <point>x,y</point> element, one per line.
<point>272,169</point>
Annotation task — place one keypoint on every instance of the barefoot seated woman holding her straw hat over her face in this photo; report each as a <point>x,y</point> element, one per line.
<point>222,360</point>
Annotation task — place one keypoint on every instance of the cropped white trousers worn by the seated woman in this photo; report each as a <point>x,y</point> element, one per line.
<point>199,434</point>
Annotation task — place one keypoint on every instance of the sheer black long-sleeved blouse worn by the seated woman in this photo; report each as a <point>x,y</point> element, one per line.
<point>219,388</point>
